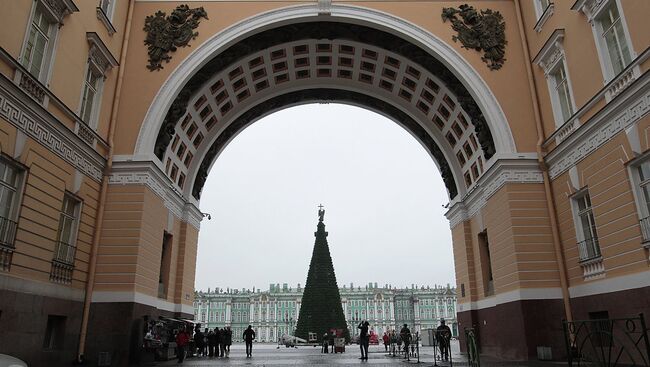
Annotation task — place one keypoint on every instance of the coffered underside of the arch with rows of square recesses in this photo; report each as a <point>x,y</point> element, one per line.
<point>331,62</point>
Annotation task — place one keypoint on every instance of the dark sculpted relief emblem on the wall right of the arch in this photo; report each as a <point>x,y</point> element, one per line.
<point>480,31</point>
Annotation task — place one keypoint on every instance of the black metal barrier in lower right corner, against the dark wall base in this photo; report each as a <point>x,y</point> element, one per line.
<point>608,342</point>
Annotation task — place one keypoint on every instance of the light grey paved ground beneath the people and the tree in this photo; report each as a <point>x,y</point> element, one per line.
<point>270,355</point>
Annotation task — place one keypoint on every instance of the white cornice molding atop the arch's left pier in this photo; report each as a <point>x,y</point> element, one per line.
<point>150,175</point>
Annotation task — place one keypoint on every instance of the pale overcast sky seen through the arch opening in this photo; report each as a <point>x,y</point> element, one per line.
<point>382,193</point>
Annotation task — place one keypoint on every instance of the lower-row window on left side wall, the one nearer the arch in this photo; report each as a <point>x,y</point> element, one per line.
<point>67,236</point>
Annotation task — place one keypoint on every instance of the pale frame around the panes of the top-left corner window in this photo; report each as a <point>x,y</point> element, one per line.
<point>49,52</point>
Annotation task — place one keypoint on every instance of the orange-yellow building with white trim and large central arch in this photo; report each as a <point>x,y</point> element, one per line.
<point>110,123</point>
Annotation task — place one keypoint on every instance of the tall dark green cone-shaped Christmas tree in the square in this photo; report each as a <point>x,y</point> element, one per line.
<point>321,309</point>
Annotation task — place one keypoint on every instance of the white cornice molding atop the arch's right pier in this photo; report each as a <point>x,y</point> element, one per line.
<point>502,172</point>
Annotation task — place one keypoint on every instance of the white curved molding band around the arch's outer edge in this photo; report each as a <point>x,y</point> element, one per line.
<point>177,80</point>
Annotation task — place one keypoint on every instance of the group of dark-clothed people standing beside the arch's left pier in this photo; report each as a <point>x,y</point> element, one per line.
<point>211,343</point>
